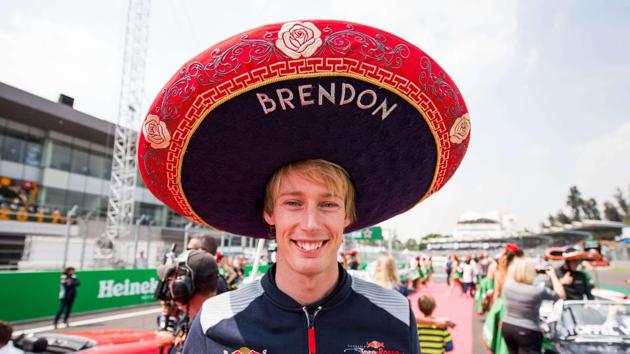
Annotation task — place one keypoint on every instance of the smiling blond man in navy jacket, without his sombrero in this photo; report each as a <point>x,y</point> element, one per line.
<point>306,286</point>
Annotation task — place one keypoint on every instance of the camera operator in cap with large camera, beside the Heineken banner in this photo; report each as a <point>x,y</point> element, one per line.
<point>190,282</point>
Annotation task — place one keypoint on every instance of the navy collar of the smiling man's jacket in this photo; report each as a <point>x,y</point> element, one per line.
<point>282,300</point>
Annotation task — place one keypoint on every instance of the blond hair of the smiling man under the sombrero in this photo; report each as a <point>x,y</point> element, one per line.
<point>331,175</point>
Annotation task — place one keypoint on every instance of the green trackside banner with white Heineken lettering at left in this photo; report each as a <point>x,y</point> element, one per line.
<point>35,295</point>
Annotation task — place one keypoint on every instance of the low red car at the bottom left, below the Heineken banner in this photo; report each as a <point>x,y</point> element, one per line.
<point>106,341</point>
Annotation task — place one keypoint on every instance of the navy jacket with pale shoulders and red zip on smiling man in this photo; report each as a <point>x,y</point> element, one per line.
<point>357,317</point>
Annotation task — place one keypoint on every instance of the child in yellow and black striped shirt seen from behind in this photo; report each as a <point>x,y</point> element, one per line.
<point>432,340</point>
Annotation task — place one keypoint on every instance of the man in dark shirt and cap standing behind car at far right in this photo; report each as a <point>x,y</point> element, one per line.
<point>576,283</point>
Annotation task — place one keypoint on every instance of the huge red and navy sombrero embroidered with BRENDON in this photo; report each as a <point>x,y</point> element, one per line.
<point>344,92</point>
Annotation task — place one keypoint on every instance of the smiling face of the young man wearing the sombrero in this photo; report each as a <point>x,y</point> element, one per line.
<point>309,222</point>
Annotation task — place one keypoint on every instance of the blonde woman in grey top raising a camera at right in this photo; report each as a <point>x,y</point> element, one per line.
<point>521,328</point>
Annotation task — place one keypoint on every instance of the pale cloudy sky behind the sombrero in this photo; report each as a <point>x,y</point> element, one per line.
<point>547,83</point>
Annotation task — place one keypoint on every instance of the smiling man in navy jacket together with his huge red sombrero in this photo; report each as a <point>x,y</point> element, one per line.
<point>303,131</point>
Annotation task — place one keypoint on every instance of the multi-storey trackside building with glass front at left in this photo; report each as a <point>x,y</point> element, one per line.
<point>53,157</point>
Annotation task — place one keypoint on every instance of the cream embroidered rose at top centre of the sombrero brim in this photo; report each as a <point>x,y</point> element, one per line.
<point>298,39</point>
